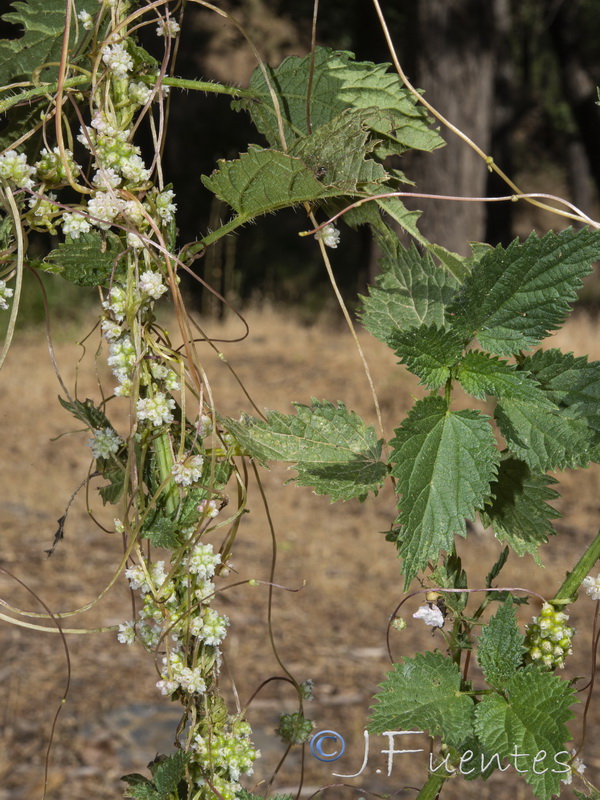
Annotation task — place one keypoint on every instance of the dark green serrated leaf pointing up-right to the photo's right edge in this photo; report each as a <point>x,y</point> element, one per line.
<point>513,298</point>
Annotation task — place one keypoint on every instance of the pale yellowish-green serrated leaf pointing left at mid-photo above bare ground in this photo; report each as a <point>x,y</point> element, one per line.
<point>332,449</point>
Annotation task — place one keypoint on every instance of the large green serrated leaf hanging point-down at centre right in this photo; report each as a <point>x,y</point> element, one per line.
<point>444,462</point>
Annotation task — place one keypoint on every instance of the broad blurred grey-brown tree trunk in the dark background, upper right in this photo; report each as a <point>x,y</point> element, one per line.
<point>455,66</point>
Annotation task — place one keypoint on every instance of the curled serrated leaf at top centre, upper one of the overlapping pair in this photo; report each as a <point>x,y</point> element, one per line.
<point>338,83</point>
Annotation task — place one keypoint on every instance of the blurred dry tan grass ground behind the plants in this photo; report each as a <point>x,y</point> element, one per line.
<point>332,631</point>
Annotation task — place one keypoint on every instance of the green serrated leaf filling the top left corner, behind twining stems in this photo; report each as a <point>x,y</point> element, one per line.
<point>43,22</point>
